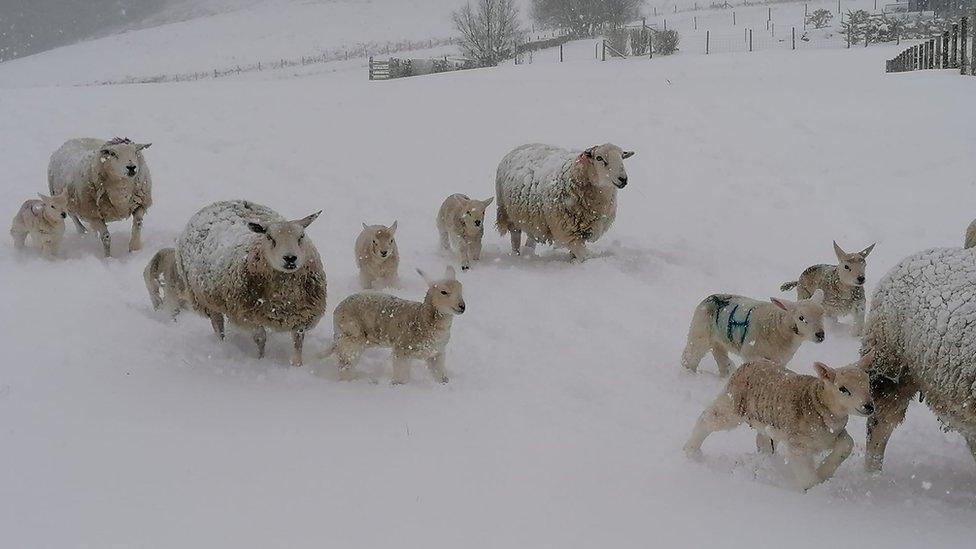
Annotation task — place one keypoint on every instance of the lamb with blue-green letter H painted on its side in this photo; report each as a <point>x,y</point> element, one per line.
<point>752,329</point>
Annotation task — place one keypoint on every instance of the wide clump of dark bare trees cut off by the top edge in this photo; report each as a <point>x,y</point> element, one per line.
<point>585,17</point>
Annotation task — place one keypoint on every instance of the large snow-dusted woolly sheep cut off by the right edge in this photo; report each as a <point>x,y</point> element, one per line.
<point>922,329</point>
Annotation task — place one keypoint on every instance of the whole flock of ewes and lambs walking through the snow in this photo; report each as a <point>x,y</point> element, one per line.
<point>243,262</point>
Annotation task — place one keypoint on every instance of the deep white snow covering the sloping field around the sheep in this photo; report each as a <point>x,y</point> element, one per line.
<point>566,411</point>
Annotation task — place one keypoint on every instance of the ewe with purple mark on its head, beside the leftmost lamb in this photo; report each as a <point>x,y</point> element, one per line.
<point>106,181</point>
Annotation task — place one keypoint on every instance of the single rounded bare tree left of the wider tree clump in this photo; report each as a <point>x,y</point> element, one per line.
<point>489,30</point>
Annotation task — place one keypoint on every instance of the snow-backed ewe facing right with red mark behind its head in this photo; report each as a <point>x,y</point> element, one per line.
<point>566,198</point>
